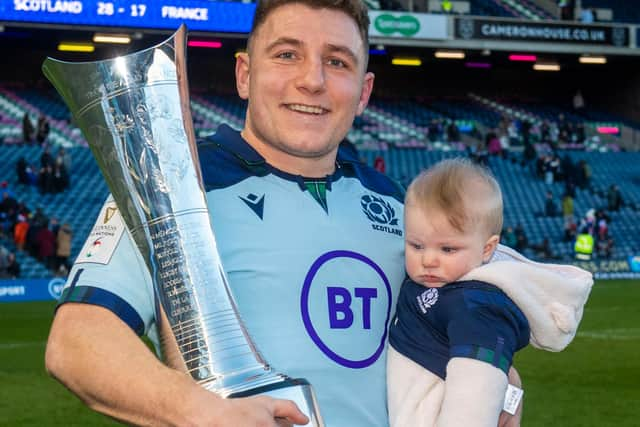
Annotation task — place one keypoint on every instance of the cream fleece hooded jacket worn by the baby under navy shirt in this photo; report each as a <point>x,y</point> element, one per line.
<point>551,296</point>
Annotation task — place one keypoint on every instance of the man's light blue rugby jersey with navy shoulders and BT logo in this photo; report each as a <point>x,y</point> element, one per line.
<point>325,315</point>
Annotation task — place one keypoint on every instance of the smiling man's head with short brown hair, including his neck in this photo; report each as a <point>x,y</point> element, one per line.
<point>305,81</point>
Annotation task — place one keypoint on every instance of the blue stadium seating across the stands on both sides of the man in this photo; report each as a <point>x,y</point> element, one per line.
<point>394,129</point>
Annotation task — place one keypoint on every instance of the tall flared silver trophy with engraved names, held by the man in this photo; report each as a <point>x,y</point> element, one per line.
<point>134,112</point>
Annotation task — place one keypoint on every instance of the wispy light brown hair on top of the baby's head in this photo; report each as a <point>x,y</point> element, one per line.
<point>464,191</point>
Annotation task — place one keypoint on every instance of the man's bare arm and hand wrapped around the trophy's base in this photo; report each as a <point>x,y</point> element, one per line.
<point>100,359</point>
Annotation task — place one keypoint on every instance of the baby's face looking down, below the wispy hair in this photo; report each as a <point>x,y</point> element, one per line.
<point>436,253</point>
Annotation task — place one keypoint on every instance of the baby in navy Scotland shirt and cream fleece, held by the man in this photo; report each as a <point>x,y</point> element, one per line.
<point>460,319</point>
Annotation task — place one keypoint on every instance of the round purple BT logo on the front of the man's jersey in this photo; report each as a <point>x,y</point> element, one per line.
<point>347,321</point>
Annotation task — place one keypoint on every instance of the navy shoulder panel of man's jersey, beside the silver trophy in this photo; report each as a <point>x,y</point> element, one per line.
<point>225,159</point>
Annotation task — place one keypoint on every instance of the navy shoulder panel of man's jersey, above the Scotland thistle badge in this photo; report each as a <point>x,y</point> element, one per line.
<point>369,177</point>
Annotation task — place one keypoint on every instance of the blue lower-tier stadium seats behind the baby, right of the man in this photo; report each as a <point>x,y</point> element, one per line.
<point>524,195</point>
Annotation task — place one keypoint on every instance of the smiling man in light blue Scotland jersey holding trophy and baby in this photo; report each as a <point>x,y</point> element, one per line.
<point>310,238</point>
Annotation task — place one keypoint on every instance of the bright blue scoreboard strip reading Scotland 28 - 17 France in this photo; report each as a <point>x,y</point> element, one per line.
<point>198,15</point>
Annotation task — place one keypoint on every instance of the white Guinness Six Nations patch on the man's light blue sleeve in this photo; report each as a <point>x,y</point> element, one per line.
<point>104,237</point>
